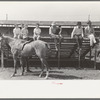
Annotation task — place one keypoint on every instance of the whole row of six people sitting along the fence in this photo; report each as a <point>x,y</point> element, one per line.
<point>55,33</point>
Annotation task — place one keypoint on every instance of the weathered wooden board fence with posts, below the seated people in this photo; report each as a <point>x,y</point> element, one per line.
<point>66,51</point>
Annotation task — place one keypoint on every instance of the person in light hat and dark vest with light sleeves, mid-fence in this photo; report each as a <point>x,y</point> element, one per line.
<point>55,33</point>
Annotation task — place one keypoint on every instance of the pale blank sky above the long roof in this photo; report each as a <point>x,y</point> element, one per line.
<point>50,11</point>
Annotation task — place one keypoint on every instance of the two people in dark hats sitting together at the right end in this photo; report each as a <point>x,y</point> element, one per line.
<point>89,33</point>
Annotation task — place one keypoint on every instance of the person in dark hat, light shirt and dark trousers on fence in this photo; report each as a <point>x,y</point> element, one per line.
<point>77,33</point>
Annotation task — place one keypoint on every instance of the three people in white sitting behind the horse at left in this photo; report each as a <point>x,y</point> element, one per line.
<point>23,33</point>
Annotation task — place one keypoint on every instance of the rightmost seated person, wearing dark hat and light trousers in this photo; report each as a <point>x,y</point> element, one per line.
<point>89,32</point>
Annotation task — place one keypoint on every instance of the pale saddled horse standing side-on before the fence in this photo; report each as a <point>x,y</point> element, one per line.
<point>23,50</point>
